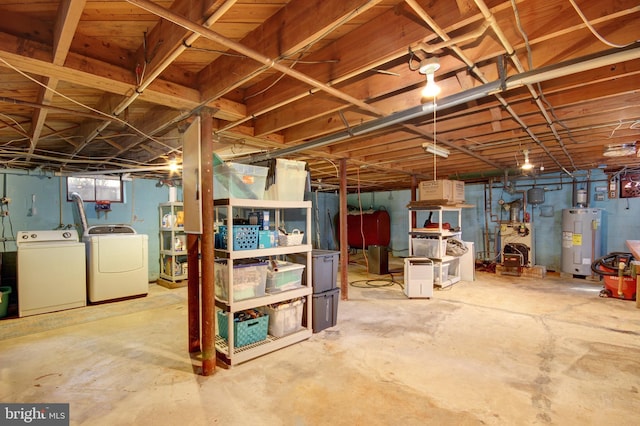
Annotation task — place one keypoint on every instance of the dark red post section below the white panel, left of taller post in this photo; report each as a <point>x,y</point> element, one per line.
<point>193,292</point>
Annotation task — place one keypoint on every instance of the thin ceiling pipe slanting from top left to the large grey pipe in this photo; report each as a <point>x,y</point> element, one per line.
<point>250,53</point>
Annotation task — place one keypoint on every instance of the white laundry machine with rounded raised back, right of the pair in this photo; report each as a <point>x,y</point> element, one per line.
<point>117,263</point>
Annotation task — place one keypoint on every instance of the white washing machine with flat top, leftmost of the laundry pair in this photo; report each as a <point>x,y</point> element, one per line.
<point>51,271</point>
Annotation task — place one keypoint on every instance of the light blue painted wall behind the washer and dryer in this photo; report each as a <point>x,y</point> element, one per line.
<point>53,211</point>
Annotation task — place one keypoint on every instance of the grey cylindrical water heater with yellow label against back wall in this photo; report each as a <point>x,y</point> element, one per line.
<point>581,239</point>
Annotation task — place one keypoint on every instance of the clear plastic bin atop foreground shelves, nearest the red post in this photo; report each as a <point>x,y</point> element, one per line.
<point>234,180</point>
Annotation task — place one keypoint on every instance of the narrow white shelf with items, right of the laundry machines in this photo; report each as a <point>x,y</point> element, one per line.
<point>173,242</point>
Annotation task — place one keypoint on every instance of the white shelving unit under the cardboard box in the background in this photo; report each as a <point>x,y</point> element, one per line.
<point>431,242</point>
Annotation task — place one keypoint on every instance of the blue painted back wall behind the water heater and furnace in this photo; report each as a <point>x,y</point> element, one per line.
<point>619,216</point>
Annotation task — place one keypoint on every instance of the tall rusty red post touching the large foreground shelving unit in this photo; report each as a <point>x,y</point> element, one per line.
<point>207,248</point>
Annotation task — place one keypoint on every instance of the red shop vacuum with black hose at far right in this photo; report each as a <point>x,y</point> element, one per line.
<point>617,272</point>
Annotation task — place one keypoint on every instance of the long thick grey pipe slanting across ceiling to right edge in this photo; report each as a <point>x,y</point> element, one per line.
<point>561,69</point>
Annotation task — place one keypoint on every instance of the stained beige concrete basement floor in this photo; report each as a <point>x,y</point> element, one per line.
<point>499,351</point>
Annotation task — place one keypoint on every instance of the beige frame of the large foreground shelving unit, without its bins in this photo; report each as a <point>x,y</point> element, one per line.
<point>227,208</point>
